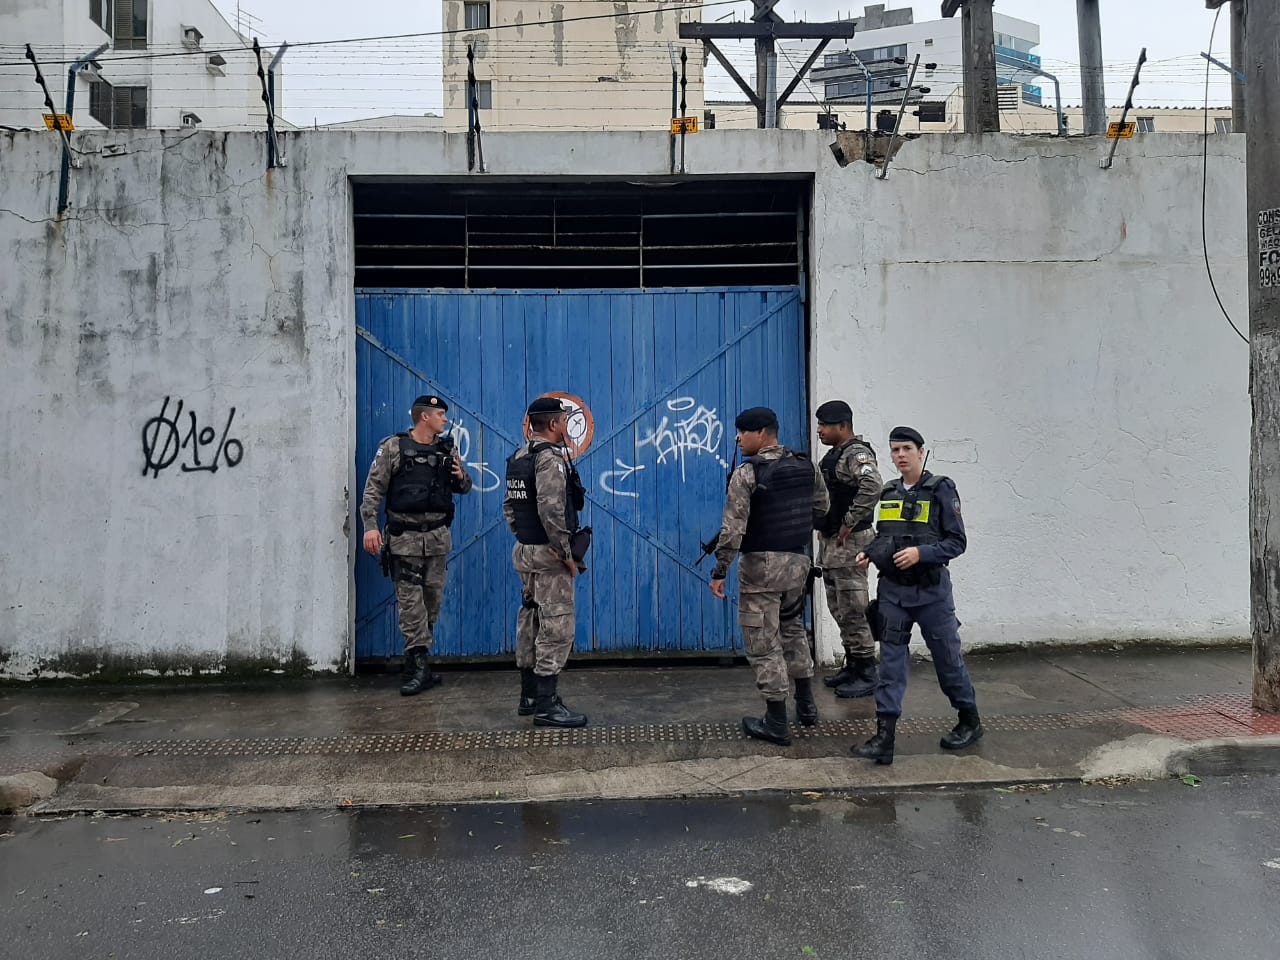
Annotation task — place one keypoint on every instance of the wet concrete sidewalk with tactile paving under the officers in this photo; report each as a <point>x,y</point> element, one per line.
<point>656,732</point>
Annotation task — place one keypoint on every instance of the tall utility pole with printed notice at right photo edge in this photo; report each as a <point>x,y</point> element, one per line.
<point>1263,203</point>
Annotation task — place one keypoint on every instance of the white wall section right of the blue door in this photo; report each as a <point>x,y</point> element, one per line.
<point>1050,328</point>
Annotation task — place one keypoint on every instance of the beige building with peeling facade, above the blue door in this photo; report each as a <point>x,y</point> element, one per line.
<point>568,67</point>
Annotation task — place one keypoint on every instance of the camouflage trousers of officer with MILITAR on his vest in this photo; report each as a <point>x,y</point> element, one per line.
<point>546,624</point>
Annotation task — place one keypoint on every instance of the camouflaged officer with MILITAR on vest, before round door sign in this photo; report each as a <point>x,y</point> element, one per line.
<point>542,508</point>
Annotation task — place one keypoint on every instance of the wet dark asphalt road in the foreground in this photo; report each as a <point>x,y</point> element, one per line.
<point>1159,871</point>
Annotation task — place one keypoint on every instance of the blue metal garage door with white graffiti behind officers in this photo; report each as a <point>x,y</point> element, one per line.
<point>660,377</point>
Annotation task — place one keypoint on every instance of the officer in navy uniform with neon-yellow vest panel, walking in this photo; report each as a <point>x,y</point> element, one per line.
<point>920,532</point>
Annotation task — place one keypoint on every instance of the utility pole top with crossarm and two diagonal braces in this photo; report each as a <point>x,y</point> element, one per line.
<point>766,29</point>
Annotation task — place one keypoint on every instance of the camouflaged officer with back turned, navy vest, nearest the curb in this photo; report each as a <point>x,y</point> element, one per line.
<point>775,499</point>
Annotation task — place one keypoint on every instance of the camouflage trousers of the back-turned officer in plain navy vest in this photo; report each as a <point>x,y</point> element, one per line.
<point>771,614</point>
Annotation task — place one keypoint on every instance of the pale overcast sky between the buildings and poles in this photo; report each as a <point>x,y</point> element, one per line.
<point>349,81</point>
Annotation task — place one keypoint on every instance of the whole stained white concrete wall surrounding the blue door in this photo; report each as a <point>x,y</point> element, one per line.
<point>1048,326</point>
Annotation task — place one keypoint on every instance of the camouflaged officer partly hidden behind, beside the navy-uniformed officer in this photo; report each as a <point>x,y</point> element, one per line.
<point>854,483</point>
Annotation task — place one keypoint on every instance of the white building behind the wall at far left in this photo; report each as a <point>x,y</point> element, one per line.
<point>171,63</point>
